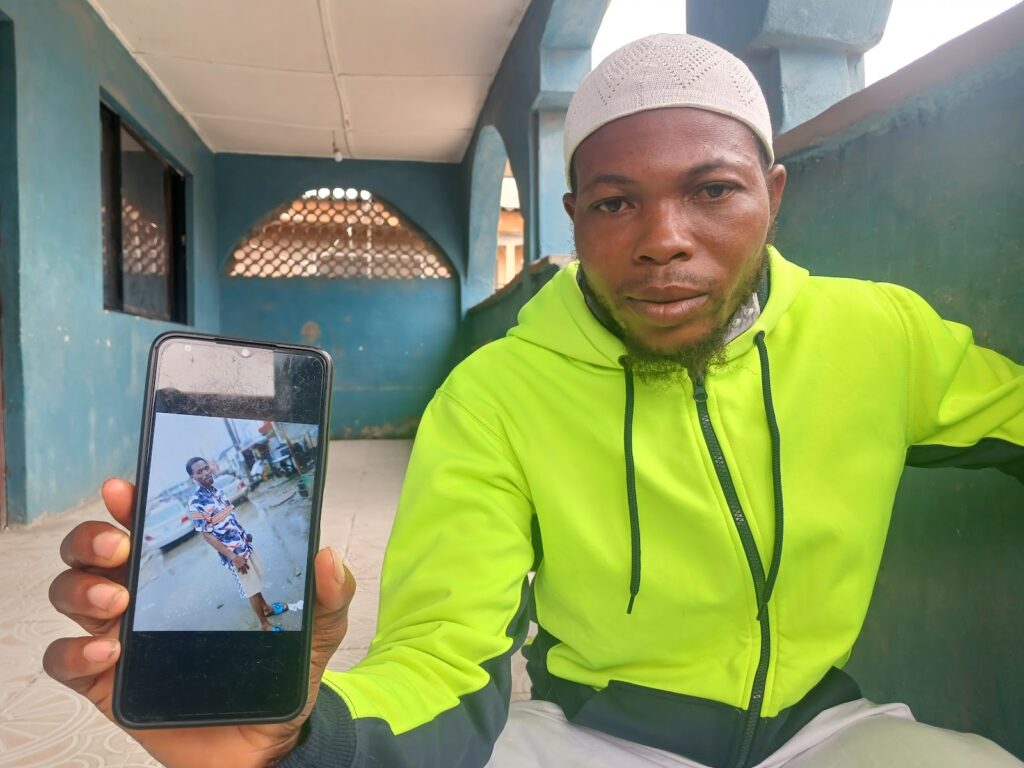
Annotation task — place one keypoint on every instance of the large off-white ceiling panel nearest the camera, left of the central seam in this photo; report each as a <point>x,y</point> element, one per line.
<point>271,34</point>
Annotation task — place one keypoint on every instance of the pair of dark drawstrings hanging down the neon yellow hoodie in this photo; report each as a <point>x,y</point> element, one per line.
<point>777,477</point>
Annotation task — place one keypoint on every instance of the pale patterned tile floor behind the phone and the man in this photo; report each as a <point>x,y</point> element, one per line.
<point>46,726</point>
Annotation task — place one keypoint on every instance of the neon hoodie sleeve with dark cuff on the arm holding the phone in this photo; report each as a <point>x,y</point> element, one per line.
<point>435,690</point>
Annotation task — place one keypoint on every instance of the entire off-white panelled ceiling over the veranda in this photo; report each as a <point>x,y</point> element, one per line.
<point>376,79</point>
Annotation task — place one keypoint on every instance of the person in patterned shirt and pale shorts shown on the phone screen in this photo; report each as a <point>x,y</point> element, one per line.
<point>214,517</point>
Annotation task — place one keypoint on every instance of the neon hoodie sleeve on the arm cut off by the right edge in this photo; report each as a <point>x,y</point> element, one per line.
<point>966,403</point>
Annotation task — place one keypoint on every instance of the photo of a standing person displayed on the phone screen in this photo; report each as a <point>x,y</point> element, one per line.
<point>227,526</point>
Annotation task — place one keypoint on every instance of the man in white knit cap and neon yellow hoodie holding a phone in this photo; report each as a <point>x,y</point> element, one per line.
<point>694,444</point>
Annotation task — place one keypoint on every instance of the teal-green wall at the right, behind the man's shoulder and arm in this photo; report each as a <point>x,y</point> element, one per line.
<point>929,196</point>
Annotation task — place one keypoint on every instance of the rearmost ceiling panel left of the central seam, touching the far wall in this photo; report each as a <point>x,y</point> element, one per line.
<point>265,139</point>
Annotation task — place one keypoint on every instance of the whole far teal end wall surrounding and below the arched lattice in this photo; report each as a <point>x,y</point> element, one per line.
<point>394,342</point>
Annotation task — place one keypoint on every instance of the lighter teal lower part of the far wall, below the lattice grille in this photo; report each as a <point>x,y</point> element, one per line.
<point>393,342</point>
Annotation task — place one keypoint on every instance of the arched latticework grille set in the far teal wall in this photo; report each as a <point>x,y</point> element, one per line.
<point>338,234</point>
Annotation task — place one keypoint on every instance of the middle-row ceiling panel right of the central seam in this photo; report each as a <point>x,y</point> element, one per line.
<point>389,104</point>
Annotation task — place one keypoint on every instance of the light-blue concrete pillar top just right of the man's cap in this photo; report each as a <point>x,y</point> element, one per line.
<point>807,55</point>
